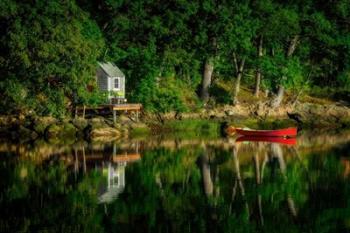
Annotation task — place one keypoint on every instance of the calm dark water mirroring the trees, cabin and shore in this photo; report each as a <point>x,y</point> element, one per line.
<point>175,185</point>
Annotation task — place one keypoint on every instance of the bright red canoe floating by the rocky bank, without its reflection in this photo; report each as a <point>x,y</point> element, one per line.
<point>288,132</point>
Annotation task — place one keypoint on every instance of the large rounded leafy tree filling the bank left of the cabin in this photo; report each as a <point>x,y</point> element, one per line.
<point>50,52</point>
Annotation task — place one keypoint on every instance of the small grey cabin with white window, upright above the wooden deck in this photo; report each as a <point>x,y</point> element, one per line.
<point>112,80</point>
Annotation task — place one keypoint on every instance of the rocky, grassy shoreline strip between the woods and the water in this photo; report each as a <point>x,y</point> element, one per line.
<point>98,128</point>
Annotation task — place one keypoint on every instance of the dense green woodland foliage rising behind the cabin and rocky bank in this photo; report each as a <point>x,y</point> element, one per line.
<point>49,49</point>
